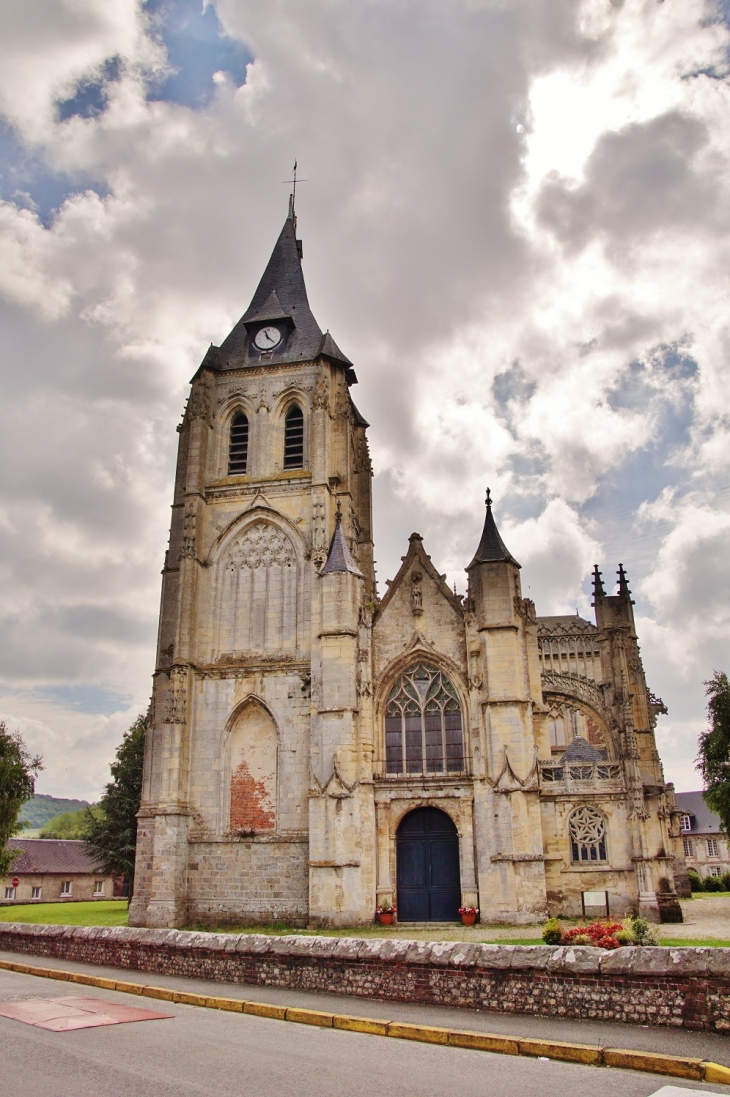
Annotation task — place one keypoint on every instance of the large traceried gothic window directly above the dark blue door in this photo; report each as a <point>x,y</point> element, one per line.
<point>423,725</point>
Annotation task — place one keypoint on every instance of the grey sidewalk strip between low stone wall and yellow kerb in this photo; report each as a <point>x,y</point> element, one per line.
<point>669,1042</point>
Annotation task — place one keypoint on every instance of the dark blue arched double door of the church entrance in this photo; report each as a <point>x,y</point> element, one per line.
<point>428,859</point>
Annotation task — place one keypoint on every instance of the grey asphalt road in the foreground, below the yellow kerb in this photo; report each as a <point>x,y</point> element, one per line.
<point>210,1054</point>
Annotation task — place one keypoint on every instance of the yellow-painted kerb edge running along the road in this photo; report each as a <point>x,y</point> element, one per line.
<point>654,1062</point>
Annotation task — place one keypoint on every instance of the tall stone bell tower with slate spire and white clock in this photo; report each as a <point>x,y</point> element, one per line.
<point>273,468</point>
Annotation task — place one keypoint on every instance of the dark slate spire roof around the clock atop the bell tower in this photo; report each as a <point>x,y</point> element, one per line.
<point>282,296</point>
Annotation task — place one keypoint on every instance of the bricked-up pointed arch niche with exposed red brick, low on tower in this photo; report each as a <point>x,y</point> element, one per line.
<point>253,773</point>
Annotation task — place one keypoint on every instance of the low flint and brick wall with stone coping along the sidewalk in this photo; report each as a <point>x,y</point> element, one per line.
<point>688,988</point>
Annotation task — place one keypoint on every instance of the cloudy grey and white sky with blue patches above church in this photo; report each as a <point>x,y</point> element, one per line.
<point>515,223</point>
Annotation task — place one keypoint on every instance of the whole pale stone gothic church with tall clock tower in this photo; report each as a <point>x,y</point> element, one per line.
<point>316,750</point>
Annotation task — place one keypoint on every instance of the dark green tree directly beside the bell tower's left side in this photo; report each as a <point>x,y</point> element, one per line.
<point>111,839</point>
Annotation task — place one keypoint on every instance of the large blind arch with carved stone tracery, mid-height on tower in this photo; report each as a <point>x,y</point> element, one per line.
<point>259,593</point>
